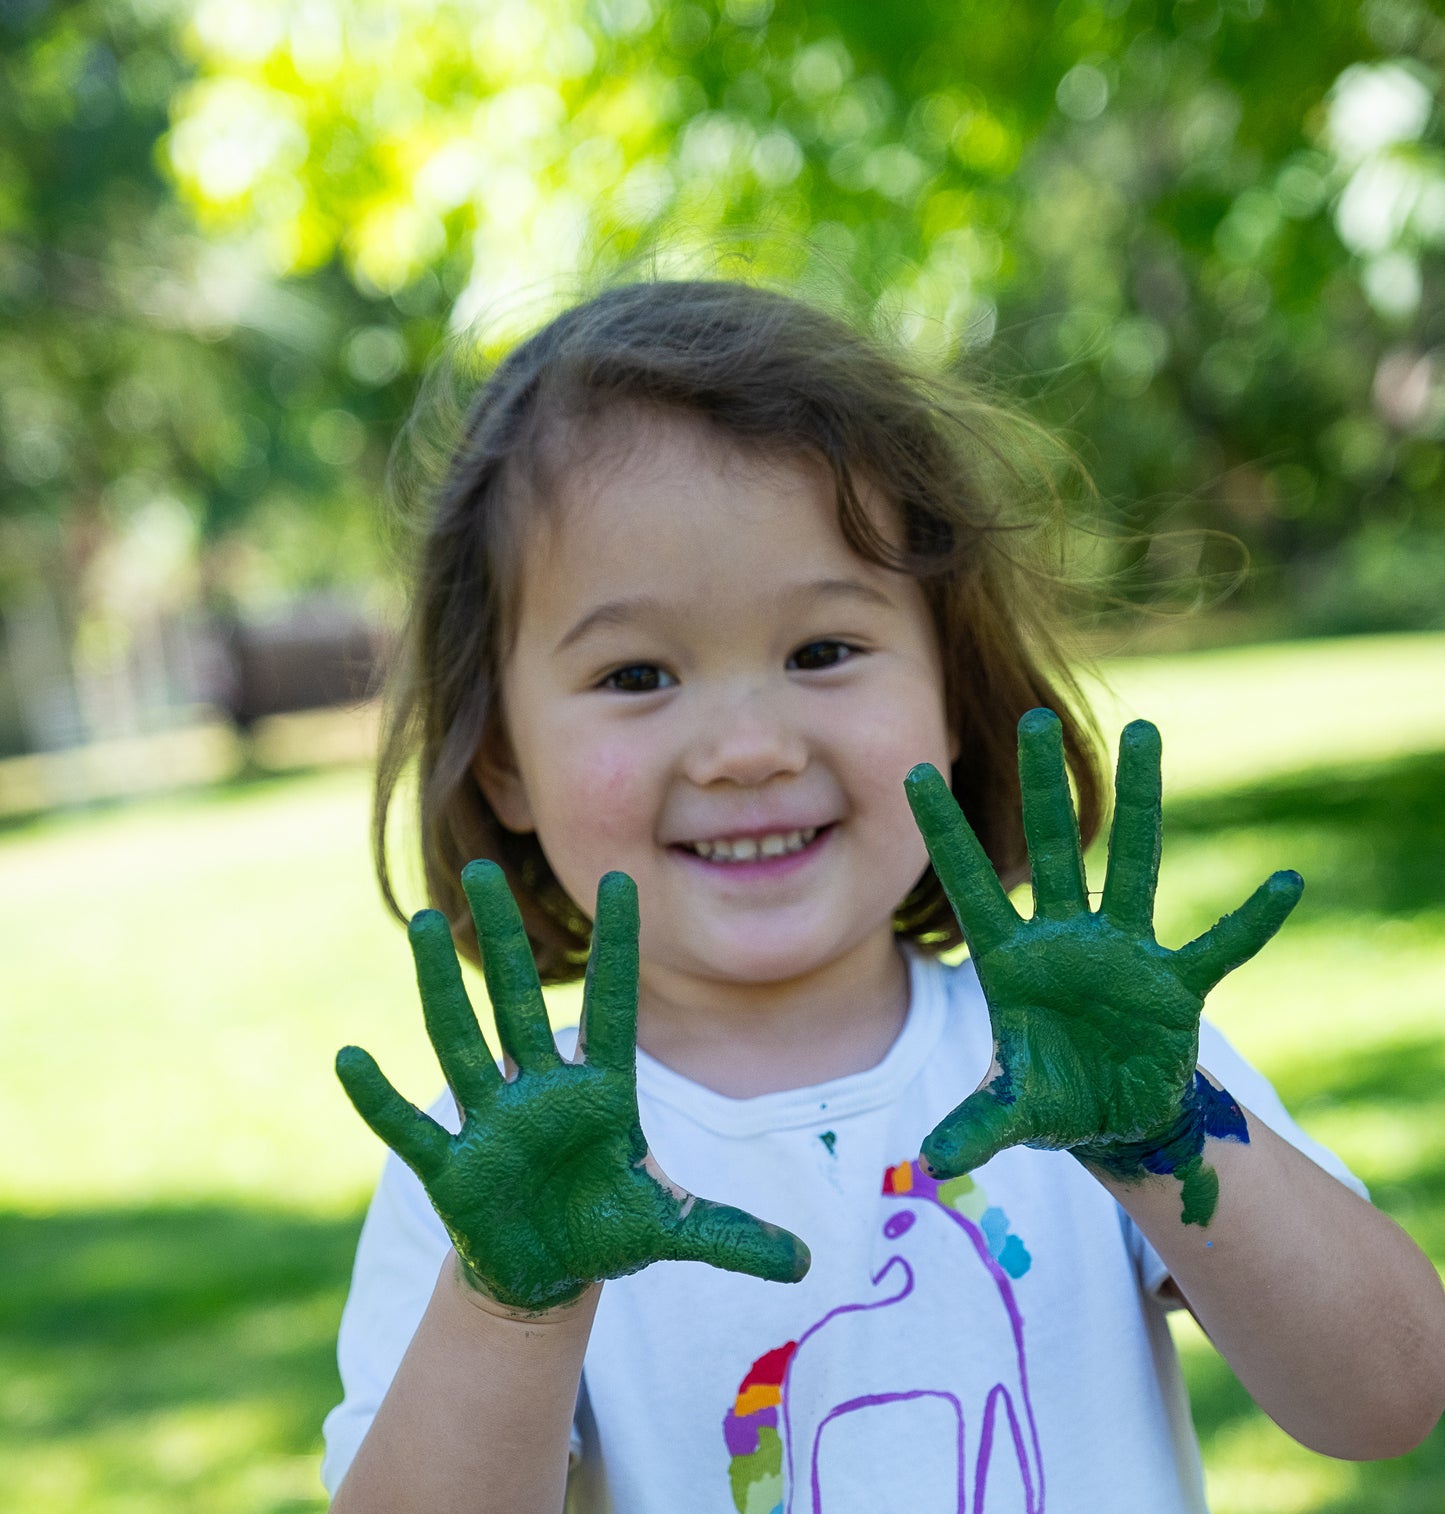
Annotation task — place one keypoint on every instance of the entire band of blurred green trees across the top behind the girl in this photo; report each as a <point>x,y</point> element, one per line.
<point>1203,237</point>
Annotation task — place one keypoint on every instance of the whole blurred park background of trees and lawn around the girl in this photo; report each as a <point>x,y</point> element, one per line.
<point>1203,241</point>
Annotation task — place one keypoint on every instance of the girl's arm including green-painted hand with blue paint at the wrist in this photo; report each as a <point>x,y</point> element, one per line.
<point>1328,1312</point>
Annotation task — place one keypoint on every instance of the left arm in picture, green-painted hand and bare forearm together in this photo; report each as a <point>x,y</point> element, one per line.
<point>546,1191</point>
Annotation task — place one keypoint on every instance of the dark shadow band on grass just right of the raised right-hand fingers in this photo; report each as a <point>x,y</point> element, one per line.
<point>1384,826</point>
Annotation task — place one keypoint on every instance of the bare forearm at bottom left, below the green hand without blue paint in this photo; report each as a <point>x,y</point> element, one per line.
<point>479,1415</point>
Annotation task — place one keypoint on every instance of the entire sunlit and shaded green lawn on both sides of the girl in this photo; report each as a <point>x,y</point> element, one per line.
<point>183,1179</point>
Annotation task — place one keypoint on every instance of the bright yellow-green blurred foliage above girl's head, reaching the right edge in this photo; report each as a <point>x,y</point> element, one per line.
<point>1205,235</point>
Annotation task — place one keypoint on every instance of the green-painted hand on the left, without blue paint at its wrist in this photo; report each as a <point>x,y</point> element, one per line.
<point>549,1186</point>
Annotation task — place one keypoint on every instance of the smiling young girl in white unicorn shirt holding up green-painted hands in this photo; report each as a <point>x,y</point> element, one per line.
<point>716,593</point>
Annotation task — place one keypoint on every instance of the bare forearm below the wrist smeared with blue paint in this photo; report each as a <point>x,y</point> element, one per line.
<point>1329,1313</point>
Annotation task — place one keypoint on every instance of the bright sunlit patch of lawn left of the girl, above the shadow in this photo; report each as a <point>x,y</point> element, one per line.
<point>246,936</point>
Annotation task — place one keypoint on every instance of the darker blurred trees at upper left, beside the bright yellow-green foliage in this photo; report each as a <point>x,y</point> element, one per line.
<point>161,390</point>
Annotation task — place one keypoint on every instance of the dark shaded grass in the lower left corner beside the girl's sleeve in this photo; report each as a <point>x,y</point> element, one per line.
<point>123,1332</point>
